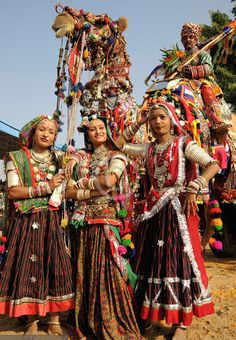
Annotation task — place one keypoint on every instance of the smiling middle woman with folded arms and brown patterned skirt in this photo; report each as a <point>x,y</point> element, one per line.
<point>103,300</point>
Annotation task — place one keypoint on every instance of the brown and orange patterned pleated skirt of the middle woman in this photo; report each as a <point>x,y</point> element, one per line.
<point>103,302</point>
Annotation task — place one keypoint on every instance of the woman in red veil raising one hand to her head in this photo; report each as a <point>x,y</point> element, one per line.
<point>172,282</point>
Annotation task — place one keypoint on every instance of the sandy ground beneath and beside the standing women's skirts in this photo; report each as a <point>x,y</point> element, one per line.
<point>220,326</point>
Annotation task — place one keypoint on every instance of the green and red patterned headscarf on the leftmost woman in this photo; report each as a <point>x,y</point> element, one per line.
<point>26,133</point>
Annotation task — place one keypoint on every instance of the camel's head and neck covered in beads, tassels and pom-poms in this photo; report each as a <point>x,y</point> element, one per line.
<point>94,43</point>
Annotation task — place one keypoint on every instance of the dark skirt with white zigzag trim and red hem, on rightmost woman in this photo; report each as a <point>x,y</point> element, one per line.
<point>172,282</point>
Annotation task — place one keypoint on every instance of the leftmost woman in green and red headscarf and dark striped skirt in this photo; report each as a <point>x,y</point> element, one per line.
<point>36,276</point>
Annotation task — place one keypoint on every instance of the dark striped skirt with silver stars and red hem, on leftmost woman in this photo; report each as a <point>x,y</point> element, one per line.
<point>36,273</point>
